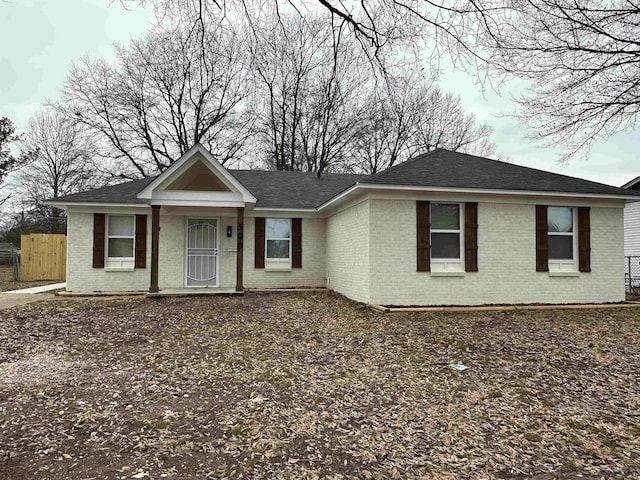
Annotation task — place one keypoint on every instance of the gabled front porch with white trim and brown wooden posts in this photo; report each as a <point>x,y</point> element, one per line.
<point>201,191</point>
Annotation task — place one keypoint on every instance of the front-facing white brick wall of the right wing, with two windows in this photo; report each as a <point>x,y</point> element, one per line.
<point>506,260</point>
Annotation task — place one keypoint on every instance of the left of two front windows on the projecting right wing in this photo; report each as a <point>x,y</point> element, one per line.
<point>445,231</point>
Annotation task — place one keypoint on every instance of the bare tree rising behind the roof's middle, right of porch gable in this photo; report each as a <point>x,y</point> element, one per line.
<point>310,79</point>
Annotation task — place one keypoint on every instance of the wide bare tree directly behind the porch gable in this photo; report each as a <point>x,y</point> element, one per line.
<point>164,93</point>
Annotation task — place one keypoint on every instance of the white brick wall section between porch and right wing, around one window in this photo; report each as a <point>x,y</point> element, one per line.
<point>312,273</point>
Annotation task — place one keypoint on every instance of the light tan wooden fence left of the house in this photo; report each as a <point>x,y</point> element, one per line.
<point>43,256</point>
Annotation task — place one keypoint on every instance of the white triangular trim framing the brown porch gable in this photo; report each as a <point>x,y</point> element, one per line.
<point>155,193</point>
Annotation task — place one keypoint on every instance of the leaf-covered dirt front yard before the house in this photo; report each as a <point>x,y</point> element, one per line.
<point>309,386</point>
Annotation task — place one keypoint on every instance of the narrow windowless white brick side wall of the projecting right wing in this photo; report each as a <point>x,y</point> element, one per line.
<point>348,237</point>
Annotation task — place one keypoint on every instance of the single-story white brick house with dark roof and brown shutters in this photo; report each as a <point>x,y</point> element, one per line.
<point>443,228</point>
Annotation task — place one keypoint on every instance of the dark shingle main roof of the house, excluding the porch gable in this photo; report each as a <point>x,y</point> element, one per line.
<point>440,168</point>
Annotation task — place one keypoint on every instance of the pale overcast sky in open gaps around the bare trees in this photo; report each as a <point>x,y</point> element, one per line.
<point>39,39</point>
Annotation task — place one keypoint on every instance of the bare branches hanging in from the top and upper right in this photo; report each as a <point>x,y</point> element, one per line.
<point>581,56</point>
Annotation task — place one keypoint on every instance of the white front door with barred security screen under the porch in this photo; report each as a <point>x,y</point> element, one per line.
<point>202,252</point>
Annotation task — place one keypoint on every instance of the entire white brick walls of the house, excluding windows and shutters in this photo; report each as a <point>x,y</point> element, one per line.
<point>370,252</point>
